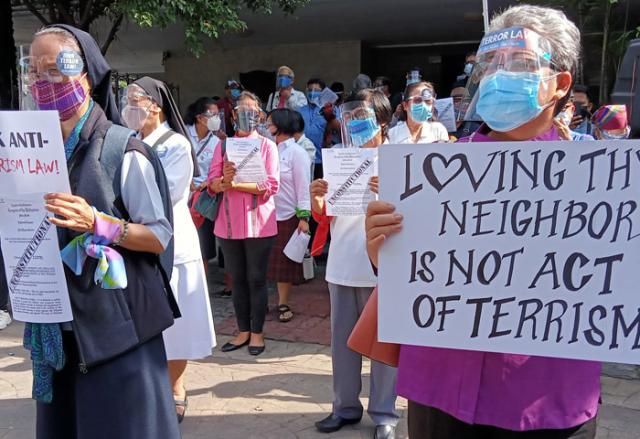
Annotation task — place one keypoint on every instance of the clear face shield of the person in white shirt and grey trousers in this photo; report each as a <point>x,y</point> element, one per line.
<point>359,125</point>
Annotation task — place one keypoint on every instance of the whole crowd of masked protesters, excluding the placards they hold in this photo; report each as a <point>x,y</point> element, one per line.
<point>118,370</point>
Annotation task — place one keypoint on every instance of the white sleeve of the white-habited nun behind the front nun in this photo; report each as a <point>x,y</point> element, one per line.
<point>178,166</point>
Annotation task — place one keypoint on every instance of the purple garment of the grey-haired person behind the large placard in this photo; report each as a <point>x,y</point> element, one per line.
<point>514,392</point>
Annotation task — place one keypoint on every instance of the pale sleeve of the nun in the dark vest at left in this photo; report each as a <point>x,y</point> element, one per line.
<point>141,196</point>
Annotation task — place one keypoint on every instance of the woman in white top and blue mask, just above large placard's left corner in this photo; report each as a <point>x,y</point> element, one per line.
<point>420,125</point>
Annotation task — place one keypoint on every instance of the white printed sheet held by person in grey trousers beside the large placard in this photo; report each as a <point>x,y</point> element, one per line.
<point>348,171</point>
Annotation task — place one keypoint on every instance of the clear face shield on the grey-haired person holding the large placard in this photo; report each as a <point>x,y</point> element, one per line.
<point>510,80</point>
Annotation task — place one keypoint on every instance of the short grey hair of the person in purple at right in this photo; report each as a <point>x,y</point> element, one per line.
<point>552,24</point>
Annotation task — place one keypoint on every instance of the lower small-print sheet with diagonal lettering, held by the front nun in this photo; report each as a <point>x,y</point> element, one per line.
<point>37,286</point>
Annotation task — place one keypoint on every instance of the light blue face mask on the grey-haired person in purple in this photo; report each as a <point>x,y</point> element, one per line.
<point>508,100</point>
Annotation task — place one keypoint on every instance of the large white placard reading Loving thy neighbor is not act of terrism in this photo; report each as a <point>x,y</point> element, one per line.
<point>525,247</point>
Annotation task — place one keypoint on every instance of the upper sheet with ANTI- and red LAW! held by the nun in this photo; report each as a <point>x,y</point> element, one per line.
<point>31,153</point>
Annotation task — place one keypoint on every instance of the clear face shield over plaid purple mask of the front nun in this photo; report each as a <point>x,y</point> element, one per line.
<point>50,78</point>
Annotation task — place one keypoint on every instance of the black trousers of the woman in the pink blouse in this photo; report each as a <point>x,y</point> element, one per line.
<point>247,260</point>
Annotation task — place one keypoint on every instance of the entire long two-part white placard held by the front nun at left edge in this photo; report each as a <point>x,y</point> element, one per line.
<point>32,161</point>
